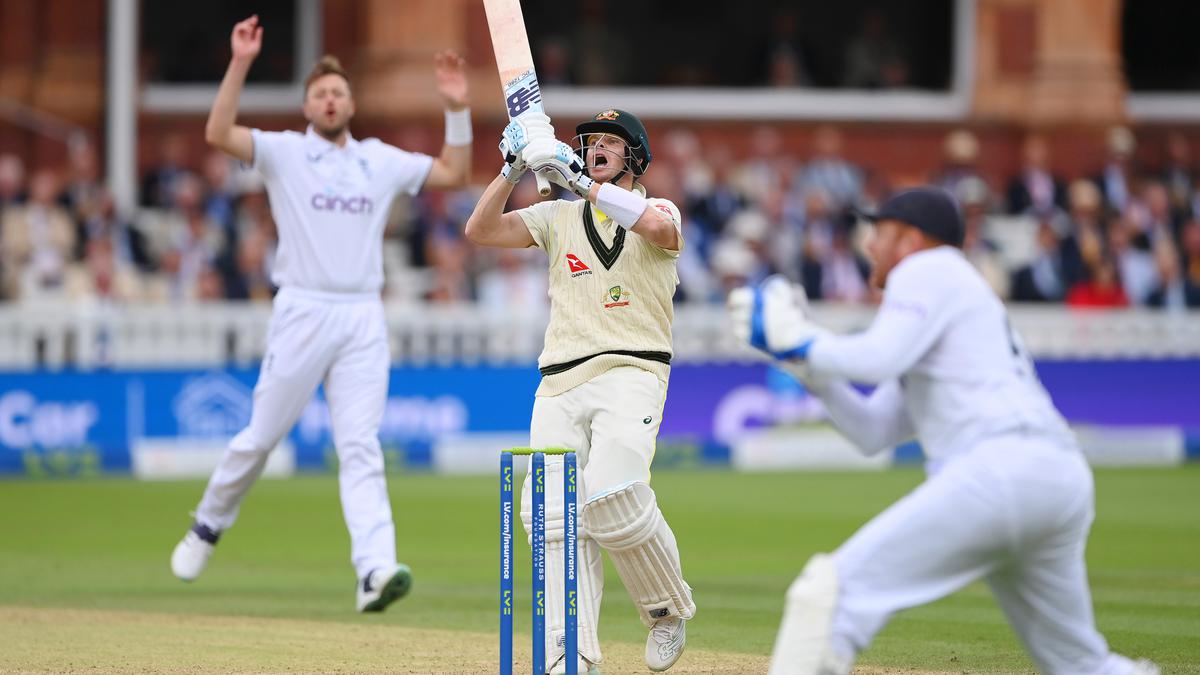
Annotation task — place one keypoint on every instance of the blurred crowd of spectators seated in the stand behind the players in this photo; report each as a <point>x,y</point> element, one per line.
<point>1127,236</point>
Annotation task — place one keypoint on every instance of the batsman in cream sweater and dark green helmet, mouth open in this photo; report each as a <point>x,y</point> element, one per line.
<point>605,367</point>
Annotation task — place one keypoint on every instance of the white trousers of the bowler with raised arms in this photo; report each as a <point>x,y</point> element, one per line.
<point>341,342</point>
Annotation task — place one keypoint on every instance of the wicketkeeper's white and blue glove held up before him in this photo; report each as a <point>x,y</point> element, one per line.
<point>773,319</point>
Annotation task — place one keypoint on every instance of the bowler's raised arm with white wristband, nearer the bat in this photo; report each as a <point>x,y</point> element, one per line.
<point>452,169</point>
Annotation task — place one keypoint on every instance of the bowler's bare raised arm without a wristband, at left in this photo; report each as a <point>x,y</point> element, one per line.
<point>220,132</point>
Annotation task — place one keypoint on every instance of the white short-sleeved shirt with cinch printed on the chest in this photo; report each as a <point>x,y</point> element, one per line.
<point>331,206</point>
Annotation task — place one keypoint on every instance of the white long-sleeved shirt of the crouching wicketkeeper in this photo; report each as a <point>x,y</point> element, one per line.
<point>963,374</point>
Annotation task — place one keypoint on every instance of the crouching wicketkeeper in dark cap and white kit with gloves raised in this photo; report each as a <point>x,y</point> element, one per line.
<point>1009,497</point>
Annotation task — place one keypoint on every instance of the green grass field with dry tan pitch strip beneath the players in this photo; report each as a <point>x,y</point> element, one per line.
<point>86,587</point>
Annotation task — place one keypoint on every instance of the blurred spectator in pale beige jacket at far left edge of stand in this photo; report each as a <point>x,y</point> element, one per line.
<point>38,242</point>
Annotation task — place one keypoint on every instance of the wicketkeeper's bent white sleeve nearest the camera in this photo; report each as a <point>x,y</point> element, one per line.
<point>908,325</point>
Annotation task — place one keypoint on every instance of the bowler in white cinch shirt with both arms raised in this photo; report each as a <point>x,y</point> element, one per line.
<point>329,195</point>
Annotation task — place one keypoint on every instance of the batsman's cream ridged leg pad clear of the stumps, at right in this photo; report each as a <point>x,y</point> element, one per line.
<point>627,522</point>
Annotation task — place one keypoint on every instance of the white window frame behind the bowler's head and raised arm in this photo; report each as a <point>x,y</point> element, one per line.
<point>189,99</point>
